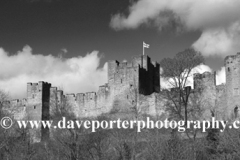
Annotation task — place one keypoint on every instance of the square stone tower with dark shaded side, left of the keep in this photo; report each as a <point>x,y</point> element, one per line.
<point>38,99</point>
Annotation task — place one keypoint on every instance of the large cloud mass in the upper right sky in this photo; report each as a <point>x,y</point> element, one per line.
<point>219,21</point>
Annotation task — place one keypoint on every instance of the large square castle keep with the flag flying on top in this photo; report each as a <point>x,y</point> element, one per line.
<point>127,80</point>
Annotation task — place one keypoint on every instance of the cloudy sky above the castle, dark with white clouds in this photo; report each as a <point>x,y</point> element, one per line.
<point>68,42</point>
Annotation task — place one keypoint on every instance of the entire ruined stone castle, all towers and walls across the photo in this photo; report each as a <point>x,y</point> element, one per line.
<point>127,82</point>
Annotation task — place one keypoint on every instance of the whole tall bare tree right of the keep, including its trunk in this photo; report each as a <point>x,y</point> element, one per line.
<point>177,71</point>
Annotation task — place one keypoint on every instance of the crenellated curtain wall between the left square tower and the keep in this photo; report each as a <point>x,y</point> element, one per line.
<point>81,104</point>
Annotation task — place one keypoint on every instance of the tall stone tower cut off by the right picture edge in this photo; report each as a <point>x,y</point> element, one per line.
<point>232,68</point>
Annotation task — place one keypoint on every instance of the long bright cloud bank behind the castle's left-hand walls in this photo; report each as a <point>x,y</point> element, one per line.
<point>74,75</point>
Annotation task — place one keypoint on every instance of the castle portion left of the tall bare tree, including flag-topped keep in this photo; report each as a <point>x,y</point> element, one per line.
<point>126,82</point>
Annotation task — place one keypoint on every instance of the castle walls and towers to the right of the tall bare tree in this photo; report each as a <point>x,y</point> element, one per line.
<point>225,97</point>
